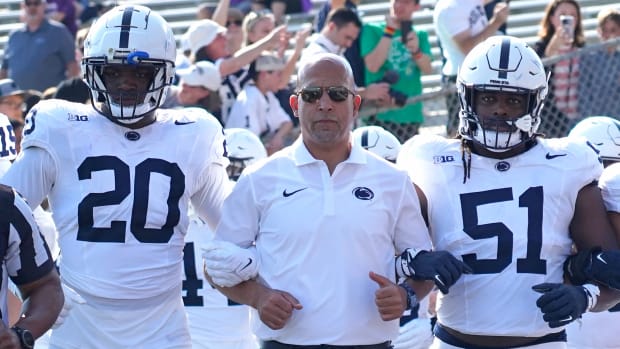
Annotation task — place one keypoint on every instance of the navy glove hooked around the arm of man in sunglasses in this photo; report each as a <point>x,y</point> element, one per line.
<point>440,266</point>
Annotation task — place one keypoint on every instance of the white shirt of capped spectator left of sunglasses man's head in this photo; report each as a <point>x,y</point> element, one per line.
<point>260,113</point>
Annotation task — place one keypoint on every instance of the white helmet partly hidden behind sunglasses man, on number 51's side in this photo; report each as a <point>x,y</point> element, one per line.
<point>377,140</point>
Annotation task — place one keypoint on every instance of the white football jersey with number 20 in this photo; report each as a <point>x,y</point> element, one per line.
<point>120,196</point>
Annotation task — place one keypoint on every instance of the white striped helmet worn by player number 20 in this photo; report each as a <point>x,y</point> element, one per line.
<point>129,35</point>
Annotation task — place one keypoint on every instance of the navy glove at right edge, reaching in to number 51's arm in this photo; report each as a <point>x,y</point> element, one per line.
<point>594,265</point>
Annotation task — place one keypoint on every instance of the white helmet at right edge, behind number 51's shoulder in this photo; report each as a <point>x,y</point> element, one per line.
<point>603,133</point>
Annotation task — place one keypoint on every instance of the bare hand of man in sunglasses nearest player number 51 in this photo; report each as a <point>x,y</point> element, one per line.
<point>391,300</point>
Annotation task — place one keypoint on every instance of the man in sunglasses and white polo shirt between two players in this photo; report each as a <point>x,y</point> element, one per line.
<point>325,218</point>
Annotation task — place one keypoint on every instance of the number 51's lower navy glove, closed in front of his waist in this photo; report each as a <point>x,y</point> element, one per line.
<point>560,303</point>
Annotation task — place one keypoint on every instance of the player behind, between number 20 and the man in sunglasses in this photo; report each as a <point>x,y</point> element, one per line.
<point>215,322</point>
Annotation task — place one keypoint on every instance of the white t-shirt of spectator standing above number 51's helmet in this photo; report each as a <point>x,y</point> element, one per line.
<point>452,17</point>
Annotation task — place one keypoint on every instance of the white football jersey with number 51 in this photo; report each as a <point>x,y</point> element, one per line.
<point>509,222</point>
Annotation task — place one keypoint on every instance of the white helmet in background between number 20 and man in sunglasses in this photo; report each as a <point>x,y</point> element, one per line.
<point>243,148</point>
